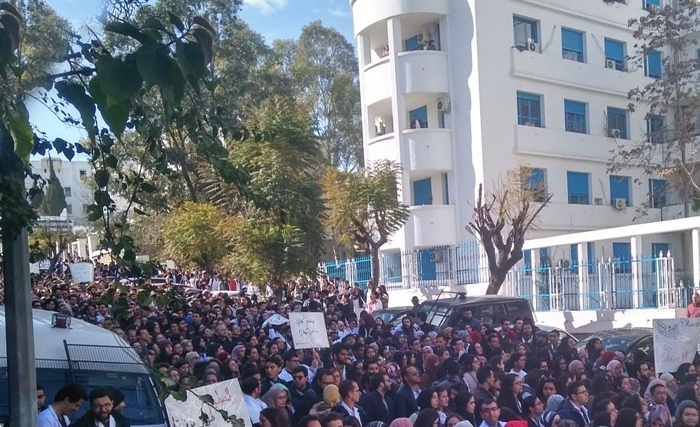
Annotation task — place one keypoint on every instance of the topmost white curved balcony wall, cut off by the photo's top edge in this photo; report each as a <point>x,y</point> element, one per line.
<point>367,12</point>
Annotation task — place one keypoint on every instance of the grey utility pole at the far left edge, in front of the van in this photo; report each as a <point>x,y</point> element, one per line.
<point>19,330</point>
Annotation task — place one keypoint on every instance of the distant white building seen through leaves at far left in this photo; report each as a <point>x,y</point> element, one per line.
<point>72,175</point>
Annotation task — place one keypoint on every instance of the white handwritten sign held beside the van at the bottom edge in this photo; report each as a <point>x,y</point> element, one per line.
<point>227,396</point>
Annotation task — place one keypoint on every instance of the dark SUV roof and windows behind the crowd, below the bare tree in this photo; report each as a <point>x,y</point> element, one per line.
<point>489,309</point>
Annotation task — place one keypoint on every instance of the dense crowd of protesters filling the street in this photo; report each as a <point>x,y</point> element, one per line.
<point>378,375</point>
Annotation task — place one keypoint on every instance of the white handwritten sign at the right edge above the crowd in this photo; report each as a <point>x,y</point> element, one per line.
<point>675,342</point>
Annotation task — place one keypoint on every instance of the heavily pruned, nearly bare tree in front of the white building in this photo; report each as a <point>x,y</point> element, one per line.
<point>502,219</point>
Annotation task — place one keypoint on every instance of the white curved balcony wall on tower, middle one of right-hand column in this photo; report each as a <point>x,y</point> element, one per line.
<point>428,150</point>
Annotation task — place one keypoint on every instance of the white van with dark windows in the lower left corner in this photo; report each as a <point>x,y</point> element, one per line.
<point>90,356</point>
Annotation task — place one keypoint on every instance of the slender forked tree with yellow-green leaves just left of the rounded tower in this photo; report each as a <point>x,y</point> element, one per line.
<point>363,207</point>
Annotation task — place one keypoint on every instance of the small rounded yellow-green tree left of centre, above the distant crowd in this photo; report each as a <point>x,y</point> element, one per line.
<point>191,235</point>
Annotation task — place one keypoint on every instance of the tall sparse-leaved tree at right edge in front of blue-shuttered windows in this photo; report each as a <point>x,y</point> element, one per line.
<point>665,49</point>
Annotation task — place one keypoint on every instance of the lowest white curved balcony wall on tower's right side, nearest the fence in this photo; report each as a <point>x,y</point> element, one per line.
<point>433,225</point>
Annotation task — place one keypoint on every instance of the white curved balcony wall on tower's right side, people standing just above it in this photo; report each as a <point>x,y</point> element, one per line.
<point>423,71</point>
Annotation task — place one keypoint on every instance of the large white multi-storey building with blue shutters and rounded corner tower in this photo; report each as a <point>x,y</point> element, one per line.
<point>461,91</point>
